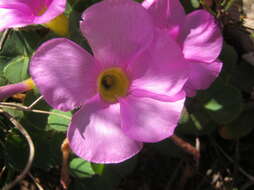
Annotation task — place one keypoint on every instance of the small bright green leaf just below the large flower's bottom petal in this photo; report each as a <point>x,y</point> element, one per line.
<point>81,168</point>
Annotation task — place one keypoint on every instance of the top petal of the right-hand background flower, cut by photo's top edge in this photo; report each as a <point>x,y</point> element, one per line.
<point>167,14</point>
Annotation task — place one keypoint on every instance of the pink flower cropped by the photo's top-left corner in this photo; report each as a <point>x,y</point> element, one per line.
<point>20,13</point>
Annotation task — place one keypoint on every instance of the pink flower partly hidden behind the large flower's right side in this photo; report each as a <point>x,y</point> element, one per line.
<point>197,34</point>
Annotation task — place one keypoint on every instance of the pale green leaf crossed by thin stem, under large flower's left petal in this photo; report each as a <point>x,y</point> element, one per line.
<point>59,123</point>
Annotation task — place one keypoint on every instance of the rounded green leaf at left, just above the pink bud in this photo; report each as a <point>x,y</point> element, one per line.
<point>16,70</point>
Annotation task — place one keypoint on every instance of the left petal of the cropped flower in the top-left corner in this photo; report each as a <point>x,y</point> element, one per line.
<point>14,14</point>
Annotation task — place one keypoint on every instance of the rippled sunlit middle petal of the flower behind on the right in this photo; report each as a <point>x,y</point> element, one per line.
<point>201,37</point>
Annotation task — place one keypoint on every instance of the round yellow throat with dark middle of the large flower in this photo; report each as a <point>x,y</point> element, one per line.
<point>112,83</point>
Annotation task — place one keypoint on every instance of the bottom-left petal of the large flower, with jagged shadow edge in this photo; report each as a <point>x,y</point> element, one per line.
<point>95,134</point>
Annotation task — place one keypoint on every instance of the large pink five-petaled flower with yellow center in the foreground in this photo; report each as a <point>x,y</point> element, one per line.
<point>130,92</point>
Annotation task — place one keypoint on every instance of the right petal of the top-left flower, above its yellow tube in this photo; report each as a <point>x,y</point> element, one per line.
<point>53,9</point>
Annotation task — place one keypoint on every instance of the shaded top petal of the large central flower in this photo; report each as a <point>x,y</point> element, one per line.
<point>117,30</point>
